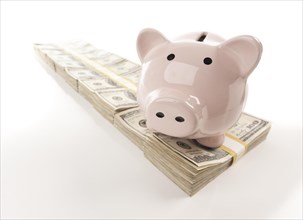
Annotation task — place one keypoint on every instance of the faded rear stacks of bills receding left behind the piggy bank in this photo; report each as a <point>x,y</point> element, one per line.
<point>102,89</point>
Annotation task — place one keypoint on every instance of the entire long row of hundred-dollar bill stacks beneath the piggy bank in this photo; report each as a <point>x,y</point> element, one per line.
<point>109,83</point>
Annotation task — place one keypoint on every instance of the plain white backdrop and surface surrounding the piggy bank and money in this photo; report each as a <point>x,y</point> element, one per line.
<point>61,159</point>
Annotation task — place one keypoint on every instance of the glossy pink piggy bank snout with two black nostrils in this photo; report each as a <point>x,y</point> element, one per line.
<point>171,116</point>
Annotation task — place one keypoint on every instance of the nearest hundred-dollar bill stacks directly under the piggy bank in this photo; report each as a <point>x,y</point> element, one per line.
<point>187,163</point>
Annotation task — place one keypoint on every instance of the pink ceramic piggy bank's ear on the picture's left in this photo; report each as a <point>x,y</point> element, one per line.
<point>147,40</point>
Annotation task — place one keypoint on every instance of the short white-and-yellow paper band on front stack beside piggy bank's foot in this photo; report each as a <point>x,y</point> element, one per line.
<point>234,146</point>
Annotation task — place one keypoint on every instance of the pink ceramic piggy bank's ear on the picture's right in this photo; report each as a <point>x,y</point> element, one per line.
<point>245,50</point>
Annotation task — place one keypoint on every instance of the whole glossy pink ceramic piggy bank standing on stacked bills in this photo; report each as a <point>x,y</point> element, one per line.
<point>194,87</point>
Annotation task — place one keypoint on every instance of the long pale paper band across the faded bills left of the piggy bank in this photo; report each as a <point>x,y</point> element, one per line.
<point>120,80</point>
